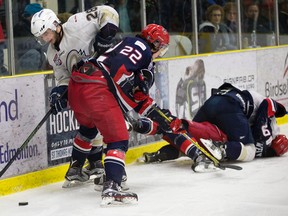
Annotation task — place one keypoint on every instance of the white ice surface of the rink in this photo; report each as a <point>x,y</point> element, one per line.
<point>170,189</point>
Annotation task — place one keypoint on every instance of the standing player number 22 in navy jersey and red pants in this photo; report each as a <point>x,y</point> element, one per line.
<point>101,90</point>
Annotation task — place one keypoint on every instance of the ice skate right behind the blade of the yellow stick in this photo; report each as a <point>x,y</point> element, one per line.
<point>203,164</point>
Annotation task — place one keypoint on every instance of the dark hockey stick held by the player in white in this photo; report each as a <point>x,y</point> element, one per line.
<point>19,150</point>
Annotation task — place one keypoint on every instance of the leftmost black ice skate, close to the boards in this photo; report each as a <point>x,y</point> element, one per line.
<point>75,175</point>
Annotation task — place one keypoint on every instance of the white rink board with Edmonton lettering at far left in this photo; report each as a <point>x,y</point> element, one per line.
<point>22,106</point>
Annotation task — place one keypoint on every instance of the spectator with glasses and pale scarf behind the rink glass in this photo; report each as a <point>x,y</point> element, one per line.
<point>213,34</point>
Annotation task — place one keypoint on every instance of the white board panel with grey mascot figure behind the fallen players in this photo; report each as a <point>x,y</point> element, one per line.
<point>236,68</point>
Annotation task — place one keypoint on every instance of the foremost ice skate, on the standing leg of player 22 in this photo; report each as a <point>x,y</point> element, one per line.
<point>113,195</point>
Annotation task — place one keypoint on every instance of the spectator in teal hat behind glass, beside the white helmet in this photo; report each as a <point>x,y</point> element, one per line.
<point>29,54</point>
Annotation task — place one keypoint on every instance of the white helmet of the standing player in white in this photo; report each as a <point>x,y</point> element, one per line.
<point>43,20</point>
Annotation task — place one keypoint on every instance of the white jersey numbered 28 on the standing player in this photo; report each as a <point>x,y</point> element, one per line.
<point>78,37</point>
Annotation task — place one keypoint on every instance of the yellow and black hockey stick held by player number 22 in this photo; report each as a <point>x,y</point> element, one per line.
<point>203,150</point>
